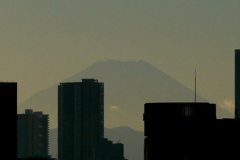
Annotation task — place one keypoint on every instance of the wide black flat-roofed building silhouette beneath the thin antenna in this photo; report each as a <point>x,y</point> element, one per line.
<point>188,131</point>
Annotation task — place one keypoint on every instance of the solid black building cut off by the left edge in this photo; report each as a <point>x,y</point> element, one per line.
<point>8,100</point>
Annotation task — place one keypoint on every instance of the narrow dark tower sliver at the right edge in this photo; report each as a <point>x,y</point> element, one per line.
<point>237,83</point>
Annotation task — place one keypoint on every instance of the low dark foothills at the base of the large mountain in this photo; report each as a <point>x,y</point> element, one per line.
<point>133,141</point>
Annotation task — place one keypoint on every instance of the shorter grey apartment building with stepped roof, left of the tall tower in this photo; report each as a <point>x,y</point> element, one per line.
<point>32,133</point>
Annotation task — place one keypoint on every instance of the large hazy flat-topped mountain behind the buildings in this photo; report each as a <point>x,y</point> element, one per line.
<point>128,85</point>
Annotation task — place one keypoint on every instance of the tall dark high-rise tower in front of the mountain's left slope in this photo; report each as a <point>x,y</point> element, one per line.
<point>80,119</point>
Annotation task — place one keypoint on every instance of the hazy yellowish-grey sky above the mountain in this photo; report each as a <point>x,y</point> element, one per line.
<point>45,41</point>
